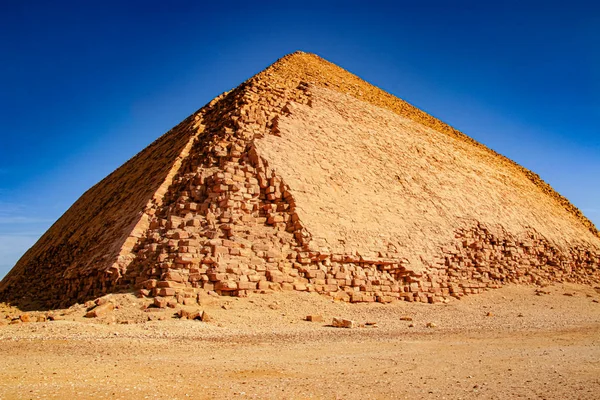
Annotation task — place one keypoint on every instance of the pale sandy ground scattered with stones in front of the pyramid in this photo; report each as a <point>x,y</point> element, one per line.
<point>506,343</point>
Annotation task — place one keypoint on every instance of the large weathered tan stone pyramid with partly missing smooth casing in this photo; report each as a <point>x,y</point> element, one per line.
<point>307,178</point>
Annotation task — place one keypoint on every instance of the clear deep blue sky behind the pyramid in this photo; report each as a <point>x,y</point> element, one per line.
<point>85,85</point>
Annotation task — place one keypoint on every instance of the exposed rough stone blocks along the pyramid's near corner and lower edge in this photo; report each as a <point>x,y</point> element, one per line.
<point>234,227</point>
